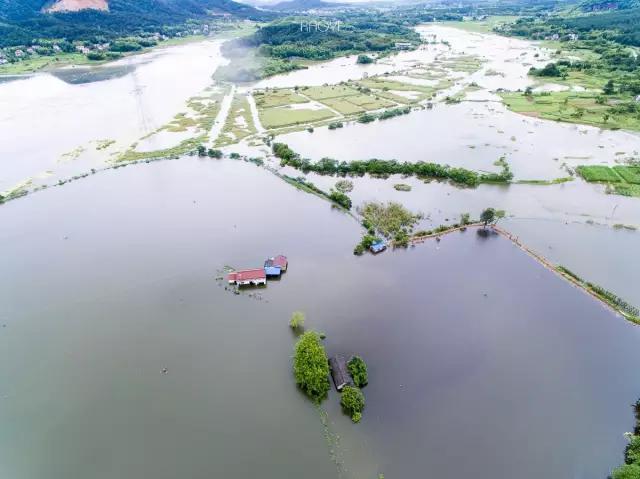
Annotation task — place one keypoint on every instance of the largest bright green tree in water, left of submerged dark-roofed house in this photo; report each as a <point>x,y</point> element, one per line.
<point>311,366</point>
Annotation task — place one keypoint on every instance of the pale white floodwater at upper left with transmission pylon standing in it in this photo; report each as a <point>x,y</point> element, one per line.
<point>52,123</point>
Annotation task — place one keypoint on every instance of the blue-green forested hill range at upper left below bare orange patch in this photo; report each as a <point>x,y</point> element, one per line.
<point>21,21</point>
